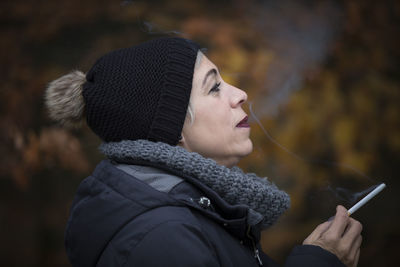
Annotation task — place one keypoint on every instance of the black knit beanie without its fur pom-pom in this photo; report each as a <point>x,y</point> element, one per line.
<point>141,92</point>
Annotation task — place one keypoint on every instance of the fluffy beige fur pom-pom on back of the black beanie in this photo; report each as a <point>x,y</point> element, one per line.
<point>64,99</point>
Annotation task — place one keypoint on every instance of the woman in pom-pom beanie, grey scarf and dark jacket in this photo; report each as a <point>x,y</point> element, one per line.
<point>169,193</point>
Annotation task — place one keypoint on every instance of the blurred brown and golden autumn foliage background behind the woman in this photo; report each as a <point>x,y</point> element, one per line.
<point>323,83</point>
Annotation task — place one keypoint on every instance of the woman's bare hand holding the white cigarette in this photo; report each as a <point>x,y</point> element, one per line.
<point>342,237</point>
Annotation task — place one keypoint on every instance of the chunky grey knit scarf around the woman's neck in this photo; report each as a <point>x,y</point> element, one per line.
<point>231,184</point>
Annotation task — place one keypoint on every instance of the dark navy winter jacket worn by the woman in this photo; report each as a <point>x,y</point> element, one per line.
<point>119,220</point>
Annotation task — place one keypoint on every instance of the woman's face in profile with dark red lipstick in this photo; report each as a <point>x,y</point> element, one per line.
<point>220,130</point>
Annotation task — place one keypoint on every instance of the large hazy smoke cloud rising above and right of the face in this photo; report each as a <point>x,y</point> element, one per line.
<point>300,36</point>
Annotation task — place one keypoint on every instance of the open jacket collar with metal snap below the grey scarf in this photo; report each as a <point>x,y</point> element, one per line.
<point>237,219</point>
